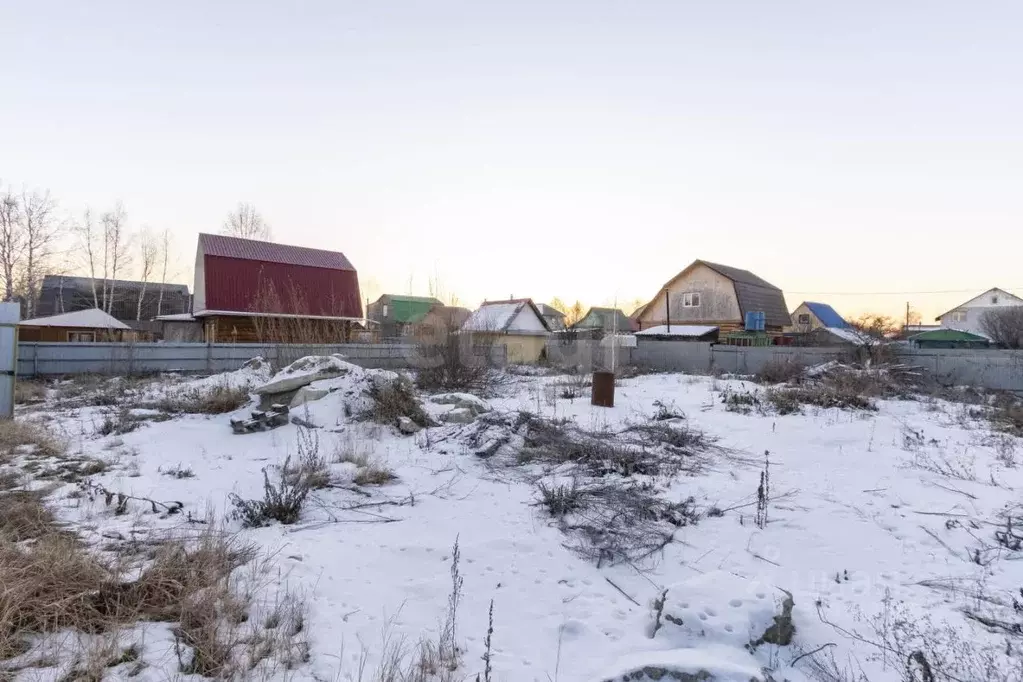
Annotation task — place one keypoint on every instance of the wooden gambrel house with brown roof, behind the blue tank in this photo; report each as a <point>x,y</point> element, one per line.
<point>710,294</point>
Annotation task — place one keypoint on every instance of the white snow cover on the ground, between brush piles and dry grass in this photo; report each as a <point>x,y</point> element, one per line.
<point>881,526</point>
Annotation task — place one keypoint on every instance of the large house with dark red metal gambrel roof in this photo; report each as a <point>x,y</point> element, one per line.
<point>258,292</point>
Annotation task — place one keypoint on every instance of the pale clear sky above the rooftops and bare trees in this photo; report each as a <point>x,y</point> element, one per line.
<point>581,149</point>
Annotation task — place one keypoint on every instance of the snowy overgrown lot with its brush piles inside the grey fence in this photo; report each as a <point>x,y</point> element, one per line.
<point>826,544</point>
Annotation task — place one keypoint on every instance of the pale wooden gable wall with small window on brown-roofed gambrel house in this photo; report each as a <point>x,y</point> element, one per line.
<point>718,301</point>
